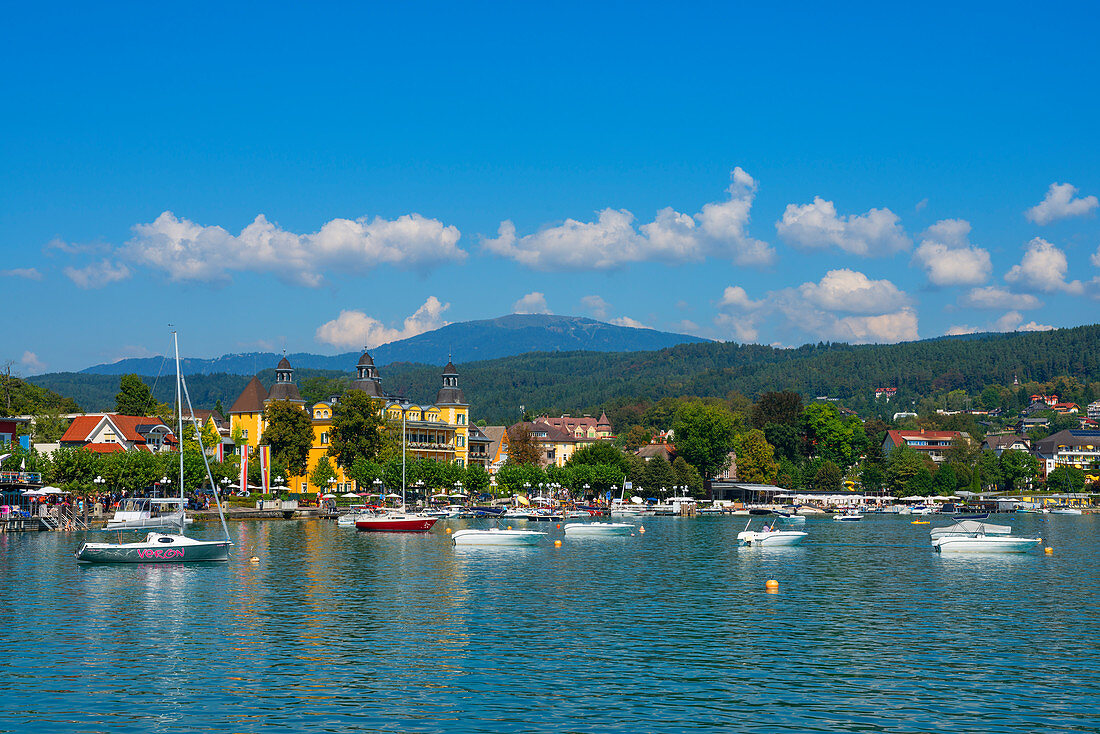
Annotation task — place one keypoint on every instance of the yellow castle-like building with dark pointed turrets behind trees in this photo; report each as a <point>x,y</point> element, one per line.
<point>441,432</point>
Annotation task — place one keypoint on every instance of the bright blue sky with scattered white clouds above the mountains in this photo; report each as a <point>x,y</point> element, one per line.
<point>326,178</point>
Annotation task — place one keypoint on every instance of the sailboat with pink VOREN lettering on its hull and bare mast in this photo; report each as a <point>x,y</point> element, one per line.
<point>168,547</point>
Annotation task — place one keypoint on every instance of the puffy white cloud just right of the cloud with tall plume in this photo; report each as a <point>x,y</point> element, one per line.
<point>818,226</point>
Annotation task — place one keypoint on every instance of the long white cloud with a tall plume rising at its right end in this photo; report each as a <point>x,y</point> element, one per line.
<point>613,240</point>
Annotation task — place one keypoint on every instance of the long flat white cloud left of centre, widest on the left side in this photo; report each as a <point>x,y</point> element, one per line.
<point>188,251</point>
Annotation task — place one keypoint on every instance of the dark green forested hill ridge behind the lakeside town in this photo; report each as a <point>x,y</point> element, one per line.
<point>586,381</point>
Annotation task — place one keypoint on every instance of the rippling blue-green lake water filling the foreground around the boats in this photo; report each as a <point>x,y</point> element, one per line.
<point>669,631</point>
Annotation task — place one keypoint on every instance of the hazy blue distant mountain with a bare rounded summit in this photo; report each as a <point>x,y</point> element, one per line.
<point>465,342</point>
